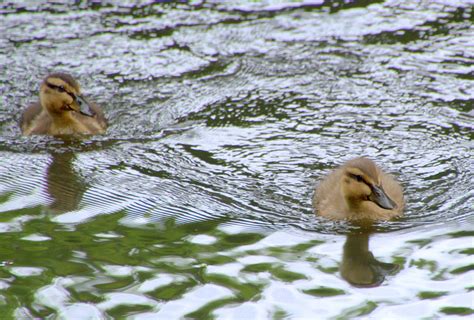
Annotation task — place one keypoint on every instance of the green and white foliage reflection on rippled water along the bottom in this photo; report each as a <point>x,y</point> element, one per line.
<point>170,270</point>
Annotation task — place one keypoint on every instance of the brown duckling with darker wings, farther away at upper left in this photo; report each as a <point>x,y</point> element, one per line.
<point>62,110</point>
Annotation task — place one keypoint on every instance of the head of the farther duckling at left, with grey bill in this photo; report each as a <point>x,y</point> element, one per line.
<point>60,93</point>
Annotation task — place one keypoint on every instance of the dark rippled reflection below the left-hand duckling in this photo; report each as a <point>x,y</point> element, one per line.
<point>64,186</point>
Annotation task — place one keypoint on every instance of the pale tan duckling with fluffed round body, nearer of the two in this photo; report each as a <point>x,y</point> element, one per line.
<point>359,190</point>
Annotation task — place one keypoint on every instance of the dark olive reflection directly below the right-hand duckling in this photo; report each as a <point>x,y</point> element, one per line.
<point>359,267</point>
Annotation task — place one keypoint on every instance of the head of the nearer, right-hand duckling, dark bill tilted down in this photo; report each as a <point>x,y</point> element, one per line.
<point>361,183</point>
